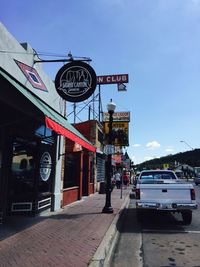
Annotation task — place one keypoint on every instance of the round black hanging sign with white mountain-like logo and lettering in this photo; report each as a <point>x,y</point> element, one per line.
<point>76,81</point>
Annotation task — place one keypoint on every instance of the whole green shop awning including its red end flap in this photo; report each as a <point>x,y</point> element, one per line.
<point>53,119</point>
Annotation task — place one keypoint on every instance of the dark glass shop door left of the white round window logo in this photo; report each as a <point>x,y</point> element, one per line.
<point>22,179</point>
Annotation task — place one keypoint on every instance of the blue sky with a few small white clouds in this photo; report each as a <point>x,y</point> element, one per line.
<point>157,42</point>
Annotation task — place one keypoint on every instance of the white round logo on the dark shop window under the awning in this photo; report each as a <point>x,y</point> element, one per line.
<point>45,166</point>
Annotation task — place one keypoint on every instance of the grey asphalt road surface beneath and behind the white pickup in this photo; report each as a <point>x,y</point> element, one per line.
<point>160,240</point>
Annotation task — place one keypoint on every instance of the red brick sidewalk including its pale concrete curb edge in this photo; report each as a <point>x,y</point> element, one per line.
<point>74,237</point>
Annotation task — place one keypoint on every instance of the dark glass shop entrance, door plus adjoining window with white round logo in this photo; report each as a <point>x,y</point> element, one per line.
<point>30,183</point>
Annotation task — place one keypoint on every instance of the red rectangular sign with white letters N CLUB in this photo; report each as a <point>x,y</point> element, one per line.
<point>110,79</point>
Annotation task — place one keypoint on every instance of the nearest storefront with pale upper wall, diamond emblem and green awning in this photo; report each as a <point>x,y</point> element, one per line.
<point>32,133</point>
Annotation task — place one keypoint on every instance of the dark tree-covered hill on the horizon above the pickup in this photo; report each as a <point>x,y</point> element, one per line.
<point>191,158</point>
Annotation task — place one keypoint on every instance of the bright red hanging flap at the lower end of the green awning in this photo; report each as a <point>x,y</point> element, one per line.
<point>65,132</point>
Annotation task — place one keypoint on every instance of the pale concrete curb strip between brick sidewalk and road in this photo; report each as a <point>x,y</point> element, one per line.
<point>103,253</point>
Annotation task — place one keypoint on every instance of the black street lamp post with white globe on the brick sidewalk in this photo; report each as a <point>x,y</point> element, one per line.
<point>108,208</point>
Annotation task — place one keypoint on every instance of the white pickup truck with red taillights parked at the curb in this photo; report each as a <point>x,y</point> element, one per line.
<point>161,190</point>
